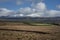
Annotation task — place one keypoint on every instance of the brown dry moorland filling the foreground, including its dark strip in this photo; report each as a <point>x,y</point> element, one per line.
<point>20,31</point>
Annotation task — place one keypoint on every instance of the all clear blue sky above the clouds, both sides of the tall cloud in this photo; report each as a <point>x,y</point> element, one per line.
<point>12,4</point>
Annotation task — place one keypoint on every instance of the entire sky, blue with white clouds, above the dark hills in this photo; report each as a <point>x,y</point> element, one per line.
<point>33,8</point>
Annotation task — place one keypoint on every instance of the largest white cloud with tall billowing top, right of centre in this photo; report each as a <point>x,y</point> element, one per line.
<point>38,10</point>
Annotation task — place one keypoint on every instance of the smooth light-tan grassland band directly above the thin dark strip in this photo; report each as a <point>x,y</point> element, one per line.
<point>31,28</point>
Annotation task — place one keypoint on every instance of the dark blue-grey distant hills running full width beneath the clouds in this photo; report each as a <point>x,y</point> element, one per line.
<point>33,19</point>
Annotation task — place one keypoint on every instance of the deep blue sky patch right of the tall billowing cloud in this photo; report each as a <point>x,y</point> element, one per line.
<point>51,4</point>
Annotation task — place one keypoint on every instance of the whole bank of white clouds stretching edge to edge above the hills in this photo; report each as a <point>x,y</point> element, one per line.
<point>37,10</point>
